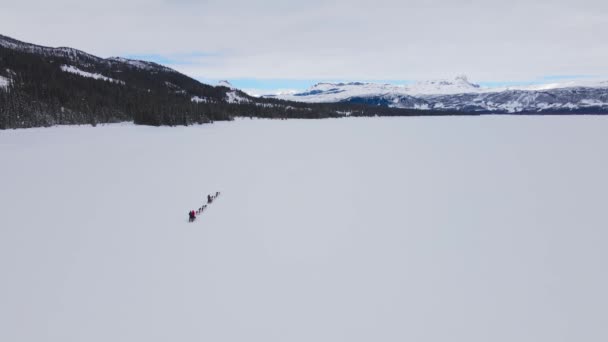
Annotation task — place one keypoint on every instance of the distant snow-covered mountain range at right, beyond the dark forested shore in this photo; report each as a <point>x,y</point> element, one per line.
<point>463,96</point>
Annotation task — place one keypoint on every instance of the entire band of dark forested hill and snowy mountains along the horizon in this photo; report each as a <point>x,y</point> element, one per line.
<point>44,86</point>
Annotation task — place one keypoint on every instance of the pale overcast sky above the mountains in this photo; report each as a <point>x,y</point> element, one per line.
<point>287,43</point>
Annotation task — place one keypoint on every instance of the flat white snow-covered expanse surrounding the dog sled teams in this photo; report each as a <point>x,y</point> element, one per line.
<point>472,229</point>
